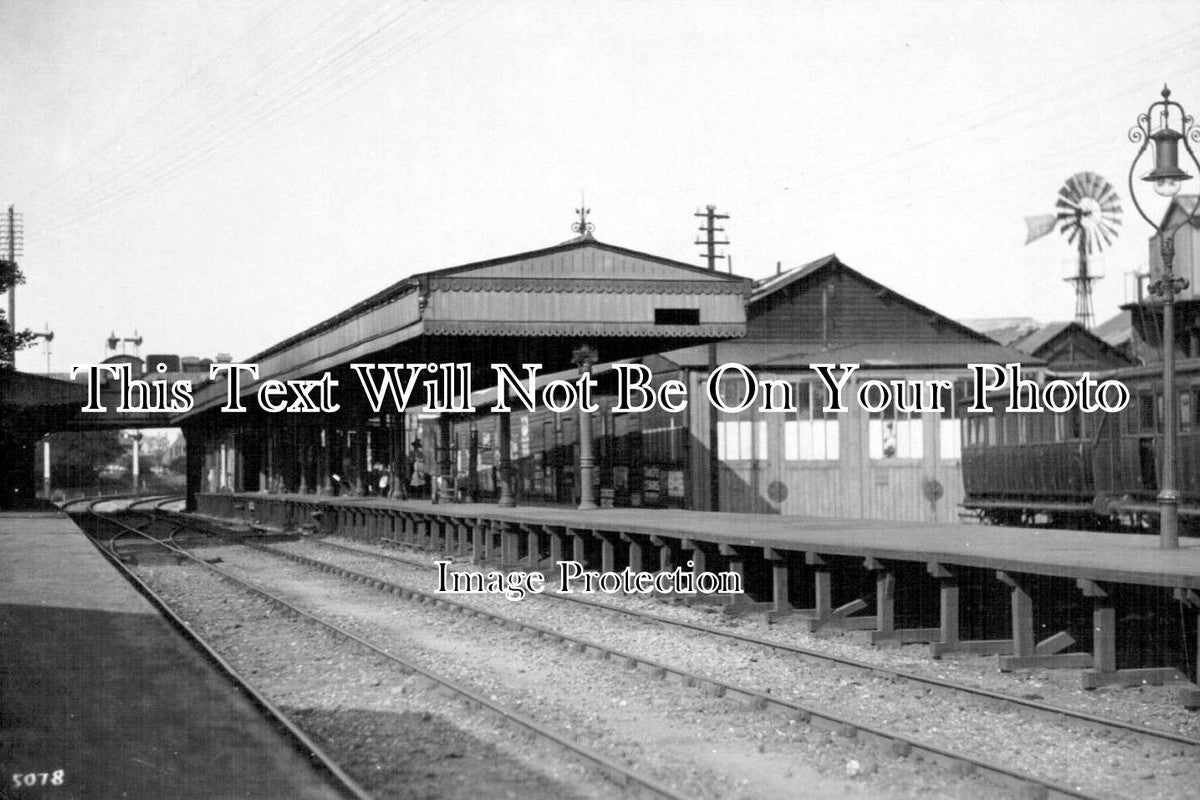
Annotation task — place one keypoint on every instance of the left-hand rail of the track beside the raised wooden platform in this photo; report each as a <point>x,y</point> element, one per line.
<point>897,744</point>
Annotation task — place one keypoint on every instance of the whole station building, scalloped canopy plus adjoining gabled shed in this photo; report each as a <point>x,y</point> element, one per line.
<point>679,321</point>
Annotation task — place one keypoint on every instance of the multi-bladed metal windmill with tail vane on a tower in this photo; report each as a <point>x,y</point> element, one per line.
<point>1090,212</point>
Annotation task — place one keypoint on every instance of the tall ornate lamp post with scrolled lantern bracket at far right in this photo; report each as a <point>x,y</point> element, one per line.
<point>1157,125</point>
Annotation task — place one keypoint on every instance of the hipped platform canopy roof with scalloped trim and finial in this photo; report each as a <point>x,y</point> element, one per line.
<point>533,308</point>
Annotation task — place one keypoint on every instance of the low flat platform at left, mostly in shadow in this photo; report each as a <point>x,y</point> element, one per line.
<point>104,699</point>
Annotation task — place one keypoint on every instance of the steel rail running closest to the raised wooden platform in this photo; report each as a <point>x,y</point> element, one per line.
<point>890,672</point>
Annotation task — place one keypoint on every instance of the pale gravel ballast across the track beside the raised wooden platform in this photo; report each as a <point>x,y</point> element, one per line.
<point>1077,755</point>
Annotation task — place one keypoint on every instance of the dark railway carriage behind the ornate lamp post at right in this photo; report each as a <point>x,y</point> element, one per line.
<point>1087,471</point>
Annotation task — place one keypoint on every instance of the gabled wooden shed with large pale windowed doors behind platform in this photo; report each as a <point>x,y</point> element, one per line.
<point>886,466</point>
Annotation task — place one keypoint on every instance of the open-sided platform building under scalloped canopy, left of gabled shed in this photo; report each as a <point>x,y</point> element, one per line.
<point>568,306</point>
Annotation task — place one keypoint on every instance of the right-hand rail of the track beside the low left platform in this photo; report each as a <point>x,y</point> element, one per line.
<point>622,775</point>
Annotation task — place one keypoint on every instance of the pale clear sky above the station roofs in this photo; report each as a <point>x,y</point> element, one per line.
<point>219,176</point>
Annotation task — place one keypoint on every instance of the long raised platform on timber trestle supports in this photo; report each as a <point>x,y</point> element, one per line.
<point>1015,593</point>
